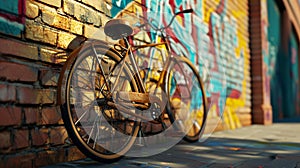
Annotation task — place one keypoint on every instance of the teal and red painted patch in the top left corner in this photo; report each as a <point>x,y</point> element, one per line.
<point>12,17</point>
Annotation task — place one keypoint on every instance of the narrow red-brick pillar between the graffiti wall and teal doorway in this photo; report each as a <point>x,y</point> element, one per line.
<point>261,107</point>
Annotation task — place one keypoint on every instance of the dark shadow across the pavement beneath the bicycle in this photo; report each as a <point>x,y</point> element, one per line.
<point>214,152</point>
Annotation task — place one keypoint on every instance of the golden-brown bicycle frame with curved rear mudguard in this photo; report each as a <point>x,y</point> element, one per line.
<point>129,53</point>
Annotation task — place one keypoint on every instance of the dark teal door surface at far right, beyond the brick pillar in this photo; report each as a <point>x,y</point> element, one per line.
<point>282,68</point>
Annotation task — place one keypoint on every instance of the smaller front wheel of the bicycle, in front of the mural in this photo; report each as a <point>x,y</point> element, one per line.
<point>187,99</point>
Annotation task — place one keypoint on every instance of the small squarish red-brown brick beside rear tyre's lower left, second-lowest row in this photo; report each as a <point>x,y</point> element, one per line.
<point>58,135</point>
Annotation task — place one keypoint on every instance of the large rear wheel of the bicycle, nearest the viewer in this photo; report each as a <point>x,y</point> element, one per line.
<point>100,131</point>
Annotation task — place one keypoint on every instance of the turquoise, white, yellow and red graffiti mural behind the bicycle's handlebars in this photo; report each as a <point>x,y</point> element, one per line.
<point>212,38</point>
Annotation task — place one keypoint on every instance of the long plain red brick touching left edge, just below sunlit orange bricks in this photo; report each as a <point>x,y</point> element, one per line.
<point>18,72</point>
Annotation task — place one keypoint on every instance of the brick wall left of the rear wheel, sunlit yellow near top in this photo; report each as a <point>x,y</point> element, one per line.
<point>34,35</point>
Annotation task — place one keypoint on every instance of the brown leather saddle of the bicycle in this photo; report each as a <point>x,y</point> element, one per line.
<point>117,29</point>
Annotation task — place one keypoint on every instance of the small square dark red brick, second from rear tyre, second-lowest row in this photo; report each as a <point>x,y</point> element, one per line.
<point>40,137</point>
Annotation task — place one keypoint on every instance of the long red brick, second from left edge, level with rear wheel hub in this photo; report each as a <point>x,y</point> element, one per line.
<point>26,95</point>
